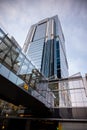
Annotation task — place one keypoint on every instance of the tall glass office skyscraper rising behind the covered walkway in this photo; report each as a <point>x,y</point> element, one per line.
<point>45,47</point>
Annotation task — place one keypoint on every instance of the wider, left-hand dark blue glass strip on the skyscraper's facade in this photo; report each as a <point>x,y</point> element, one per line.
<point>48,59</point>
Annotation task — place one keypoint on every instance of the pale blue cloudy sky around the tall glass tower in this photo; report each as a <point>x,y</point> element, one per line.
<point>16,17</point>
